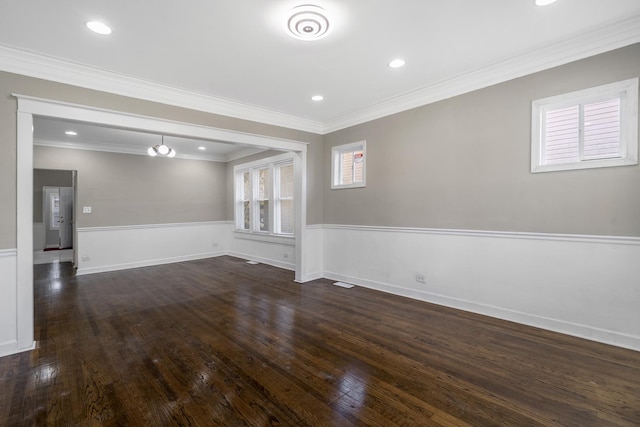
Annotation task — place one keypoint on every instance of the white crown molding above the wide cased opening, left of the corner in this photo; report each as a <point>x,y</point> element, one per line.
<point>30,64</point>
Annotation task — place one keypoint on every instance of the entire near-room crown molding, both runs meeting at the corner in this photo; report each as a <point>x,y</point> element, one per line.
<point>607,38</point>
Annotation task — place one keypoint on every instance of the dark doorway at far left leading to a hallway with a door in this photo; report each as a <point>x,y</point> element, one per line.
<point>53,215</point>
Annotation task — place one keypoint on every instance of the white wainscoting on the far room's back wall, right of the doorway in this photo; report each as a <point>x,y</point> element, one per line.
<point>116,248</point>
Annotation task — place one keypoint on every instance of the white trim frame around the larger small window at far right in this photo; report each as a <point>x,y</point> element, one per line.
<point>628,91</point>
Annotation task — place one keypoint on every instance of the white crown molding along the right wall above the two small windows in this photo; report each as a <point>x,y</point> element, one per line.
<point>604,39</point>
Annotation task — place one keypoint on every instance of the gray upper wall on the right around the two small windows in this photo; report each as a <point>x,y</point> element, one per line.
<point>464,163</point>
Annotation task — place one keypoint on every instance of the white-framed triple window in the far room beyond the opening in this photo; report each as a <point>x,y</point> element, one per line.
<point>264,196</point>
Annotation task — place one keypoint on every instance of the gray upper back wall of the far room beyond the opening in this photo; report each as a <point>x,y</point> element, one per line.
<point>127,189</point>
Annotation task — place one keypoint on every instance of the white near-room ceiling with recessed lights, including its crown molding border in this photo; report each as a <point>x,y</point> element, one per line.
<point>234,58</point>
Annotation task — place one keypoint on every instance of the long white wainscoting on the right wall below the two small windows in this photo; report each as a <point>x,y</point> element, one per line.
<point>585,286</point>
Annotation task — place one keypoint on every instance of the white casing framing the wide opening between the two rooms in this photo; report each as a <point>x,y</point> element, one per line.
<point>29,106</point>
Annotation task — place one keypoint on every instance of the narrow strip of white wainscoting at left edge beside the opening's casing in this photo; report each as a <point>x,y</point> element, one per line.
<point>8,298</point>
